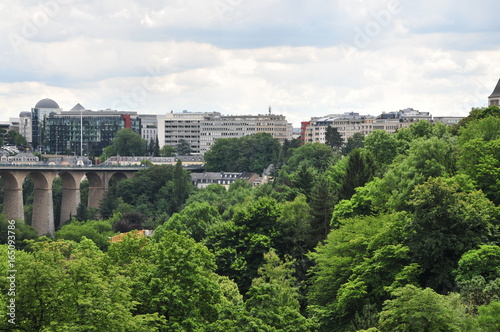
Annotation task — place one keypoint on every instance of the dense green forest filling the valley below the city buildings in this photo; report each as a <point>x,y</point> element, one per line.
<point>388,232</point>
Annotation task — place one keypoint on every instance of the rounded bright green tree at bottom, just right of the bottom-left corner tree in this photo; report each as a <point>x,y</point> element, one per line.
<point>178,282</point>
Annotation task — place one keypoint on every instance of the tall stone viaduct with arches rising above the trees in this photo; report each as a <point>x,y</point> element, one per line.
<point>43,177</point>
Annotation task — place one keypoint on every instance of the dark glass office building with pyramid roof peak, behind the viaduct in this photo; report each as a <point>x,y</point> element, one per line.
<point>87,132</point>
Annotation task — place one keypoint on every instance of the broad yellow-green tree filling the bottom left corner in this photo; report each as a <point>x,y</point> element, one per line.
<point>66,287</point>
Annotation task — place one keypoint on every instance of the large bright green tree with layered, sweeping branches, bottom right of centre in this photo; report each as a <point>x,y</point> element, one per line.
<point>357,265</point>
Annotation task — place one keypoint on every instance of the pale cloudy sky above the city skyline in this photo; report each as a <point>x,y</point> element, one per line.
<point>303,58</point>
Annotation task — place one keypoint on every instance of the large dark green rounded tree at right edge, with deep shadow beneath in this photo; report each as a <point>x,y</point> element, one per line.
<point>449,218</point>
